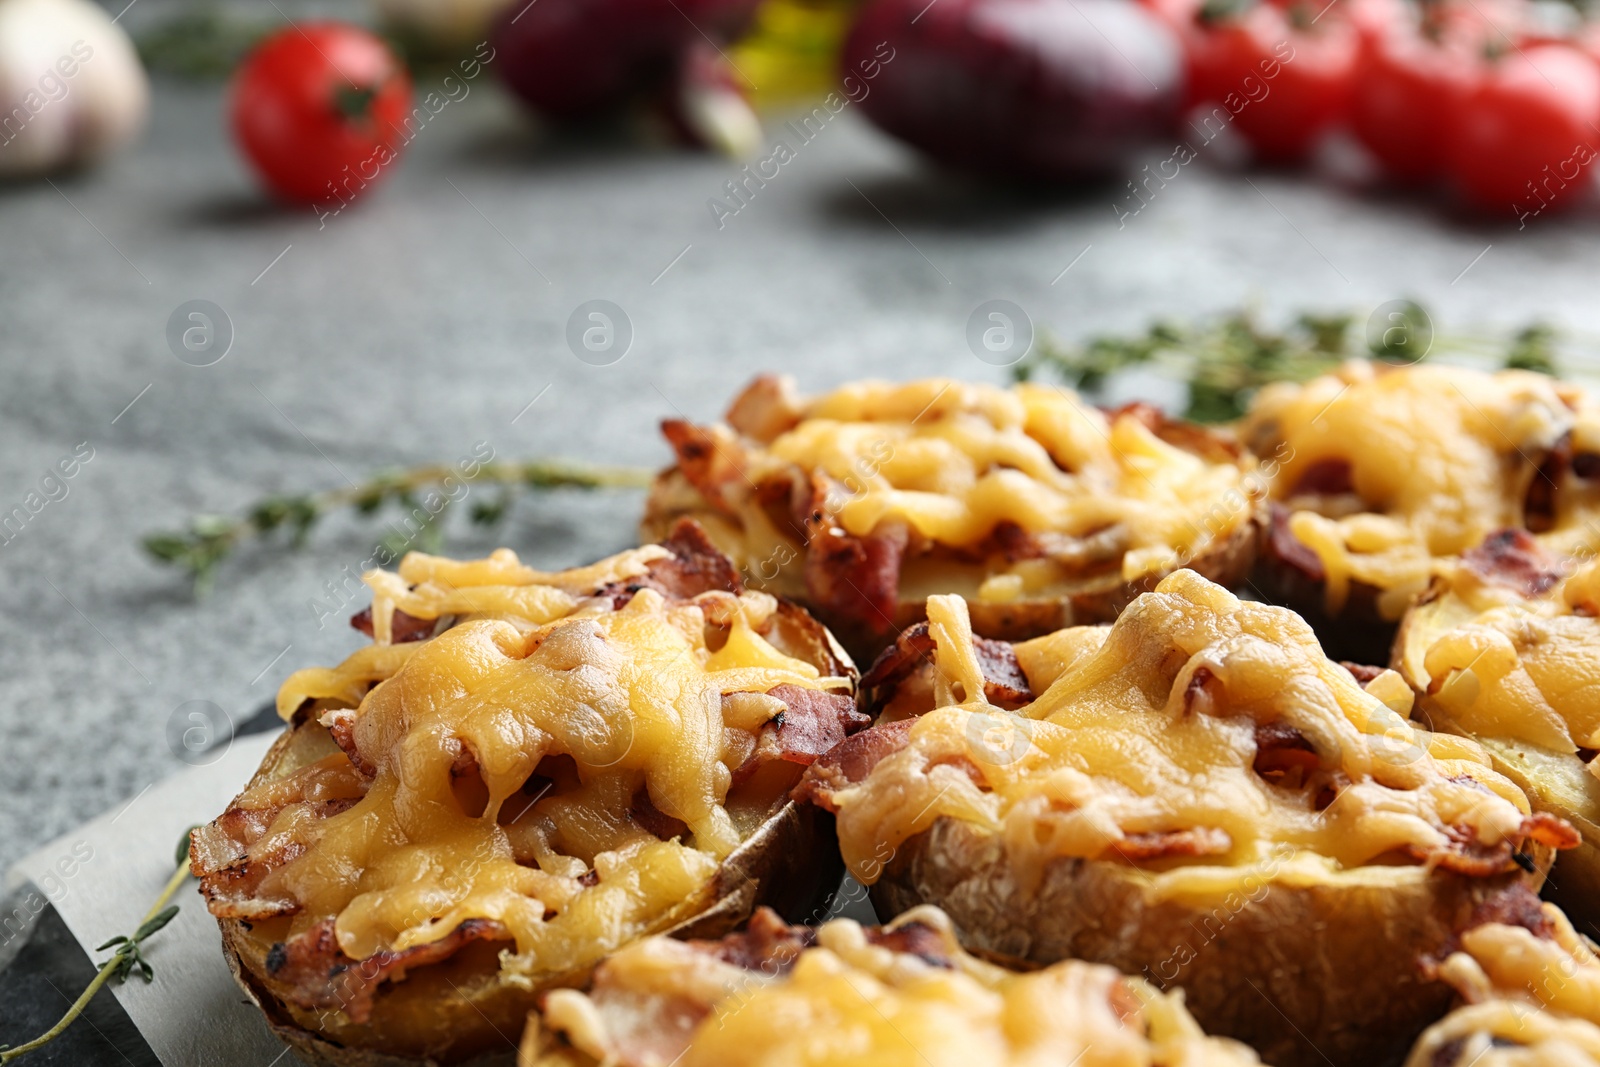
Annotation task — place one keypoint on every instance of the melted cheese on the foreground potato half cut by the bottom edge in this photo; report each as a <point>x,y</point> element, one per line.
<point>852,1004</point>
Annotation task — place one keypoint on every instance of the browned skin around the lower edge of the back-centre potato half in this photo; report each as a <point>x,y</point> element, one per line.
<point>1095,601</point>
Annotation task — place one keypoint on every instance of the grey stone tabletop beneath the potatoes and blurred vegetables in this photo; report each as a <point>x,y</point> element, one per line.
<point>433,318</point>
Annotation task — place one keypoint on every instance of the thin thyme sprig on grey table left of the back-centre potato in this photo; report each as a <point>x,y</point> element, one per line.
<point>210,540</point>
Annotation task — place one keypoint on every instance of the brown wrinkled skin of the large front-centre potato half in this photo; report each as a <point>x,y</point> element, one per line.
<point>1335,967</point>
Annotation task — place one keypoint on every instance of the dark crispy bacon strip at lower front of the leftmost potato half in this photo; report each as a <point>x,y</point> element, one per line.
<point>316,973</point>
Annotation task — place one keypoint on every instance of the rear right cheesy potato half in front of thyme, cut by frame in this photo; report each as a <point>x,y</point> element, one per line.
<point>1380,476</point>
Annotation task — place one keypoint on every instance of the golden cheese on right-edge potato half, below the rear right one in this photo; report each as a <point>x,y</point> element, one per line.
<point>1511,668</point>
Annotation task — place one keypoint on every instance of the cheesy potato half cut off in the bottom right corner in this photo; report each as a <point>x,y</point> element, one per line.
<point>1530,991</point>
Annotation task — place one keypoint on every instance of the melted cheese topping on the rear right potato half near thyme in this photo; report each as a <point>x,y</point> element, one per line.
<point>1441,457</point>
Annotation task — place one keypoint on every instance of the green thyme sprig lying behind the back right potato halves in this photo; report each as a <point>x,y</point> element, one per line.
<point>1228,359</point>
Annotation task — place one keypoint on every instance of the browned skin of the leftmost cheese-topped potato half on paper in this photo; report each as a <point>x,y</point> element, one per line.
<point>463,1010</point>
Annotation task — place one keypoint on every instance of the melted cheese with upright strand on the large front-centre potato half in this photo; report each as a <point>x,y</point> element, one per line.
<point>1154,732</point>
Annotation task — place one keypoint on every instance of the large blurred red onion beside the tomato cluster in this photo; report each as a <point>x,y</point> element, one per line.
<point>1054,90</point>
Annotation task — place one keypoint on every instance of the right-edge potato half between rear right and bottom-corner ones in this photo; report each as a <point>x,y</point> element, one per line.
<point>1505,649</point>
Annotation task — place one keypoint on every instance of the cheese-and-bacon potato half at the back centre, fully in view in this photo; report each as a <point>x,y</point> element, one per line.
<point>1038,508</point>
